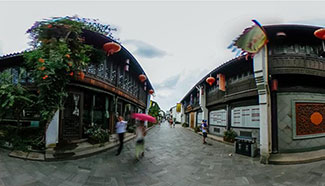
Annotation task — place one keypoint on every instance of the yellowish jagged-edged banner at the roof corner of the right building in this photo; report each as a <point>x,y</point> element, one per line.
<point>251,41</point>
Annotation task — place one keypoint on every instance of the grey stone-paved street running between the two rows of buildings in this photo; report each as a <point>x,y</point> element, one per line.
<point>174,156</point>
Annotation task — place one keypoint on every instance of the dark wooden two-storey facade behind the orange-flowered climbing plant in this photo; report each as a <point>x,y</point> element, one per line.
<point>110,88</point>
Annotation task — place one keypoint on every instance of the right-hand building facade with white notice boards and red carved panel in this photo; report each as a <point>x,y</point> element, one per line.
<point>277,97</point>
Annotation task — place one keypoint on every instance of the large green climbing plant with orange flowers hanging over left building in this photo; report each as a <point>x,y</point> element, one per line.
<point>59,52</point>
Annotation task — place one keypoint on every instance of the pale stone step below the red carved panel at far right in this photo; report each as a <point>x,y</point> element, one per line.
<point>297,158</point>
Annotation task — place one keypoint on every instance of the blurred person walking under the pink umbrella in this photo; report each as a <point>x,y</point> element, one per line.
<point>139,140</point>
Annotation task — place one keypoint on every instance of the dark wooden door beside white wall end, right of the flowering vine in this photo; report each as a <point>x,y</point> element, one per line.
<point>71,120</point>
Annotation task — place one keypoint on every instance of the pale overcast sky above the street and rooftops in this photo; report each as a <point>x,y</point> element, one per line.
<point>175,42</point>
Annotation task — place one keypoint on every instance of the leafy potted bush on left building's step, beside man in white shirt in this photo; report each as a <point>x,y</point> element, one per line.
<point>97,134</point>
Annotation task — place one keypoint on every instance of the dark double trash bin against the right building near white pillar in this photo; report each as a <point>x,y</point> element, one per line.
<point>246,146</point>
